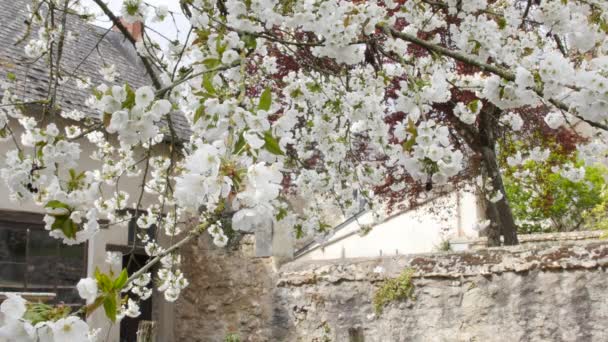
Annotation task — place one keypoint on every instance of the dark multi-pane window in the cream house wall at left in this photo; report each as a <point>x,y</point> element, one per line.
<point>33,261</point>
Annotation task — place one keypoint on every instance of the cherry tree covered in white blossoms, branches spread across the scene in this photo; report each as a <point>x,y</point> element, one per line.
<point>327,100</point>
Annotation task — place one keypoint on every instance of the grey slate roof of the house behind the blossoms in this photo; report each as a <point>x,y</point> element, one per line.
<point>33,77</point>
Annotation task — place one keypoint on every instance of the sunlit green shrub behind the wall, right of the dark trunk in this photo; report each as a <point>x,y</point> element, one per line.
<point>542,199</point>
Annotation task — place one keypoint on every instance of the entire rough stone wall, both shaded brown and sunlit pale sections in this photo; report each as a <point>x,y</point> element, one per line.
<point>530,293</point>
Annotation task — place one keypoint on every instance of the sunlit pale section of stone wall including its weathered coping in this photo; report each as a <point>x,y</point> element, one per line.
<point>543,293</point>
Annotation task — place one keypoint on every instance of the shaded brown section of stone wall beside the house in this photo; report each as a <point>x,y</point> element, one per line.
<point>229,293</point>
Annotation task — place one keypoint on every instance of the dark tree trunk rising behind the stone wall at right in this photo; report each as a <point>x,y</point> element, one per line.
<point>500,212</point>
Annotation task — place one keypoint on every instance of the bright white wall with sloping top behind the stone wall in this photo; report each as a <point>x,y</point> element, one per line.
<point>414,231</point>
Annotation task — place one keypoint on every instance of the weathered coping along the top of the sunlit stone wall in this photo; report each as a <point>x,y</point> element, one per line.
<point>569,255</point>
